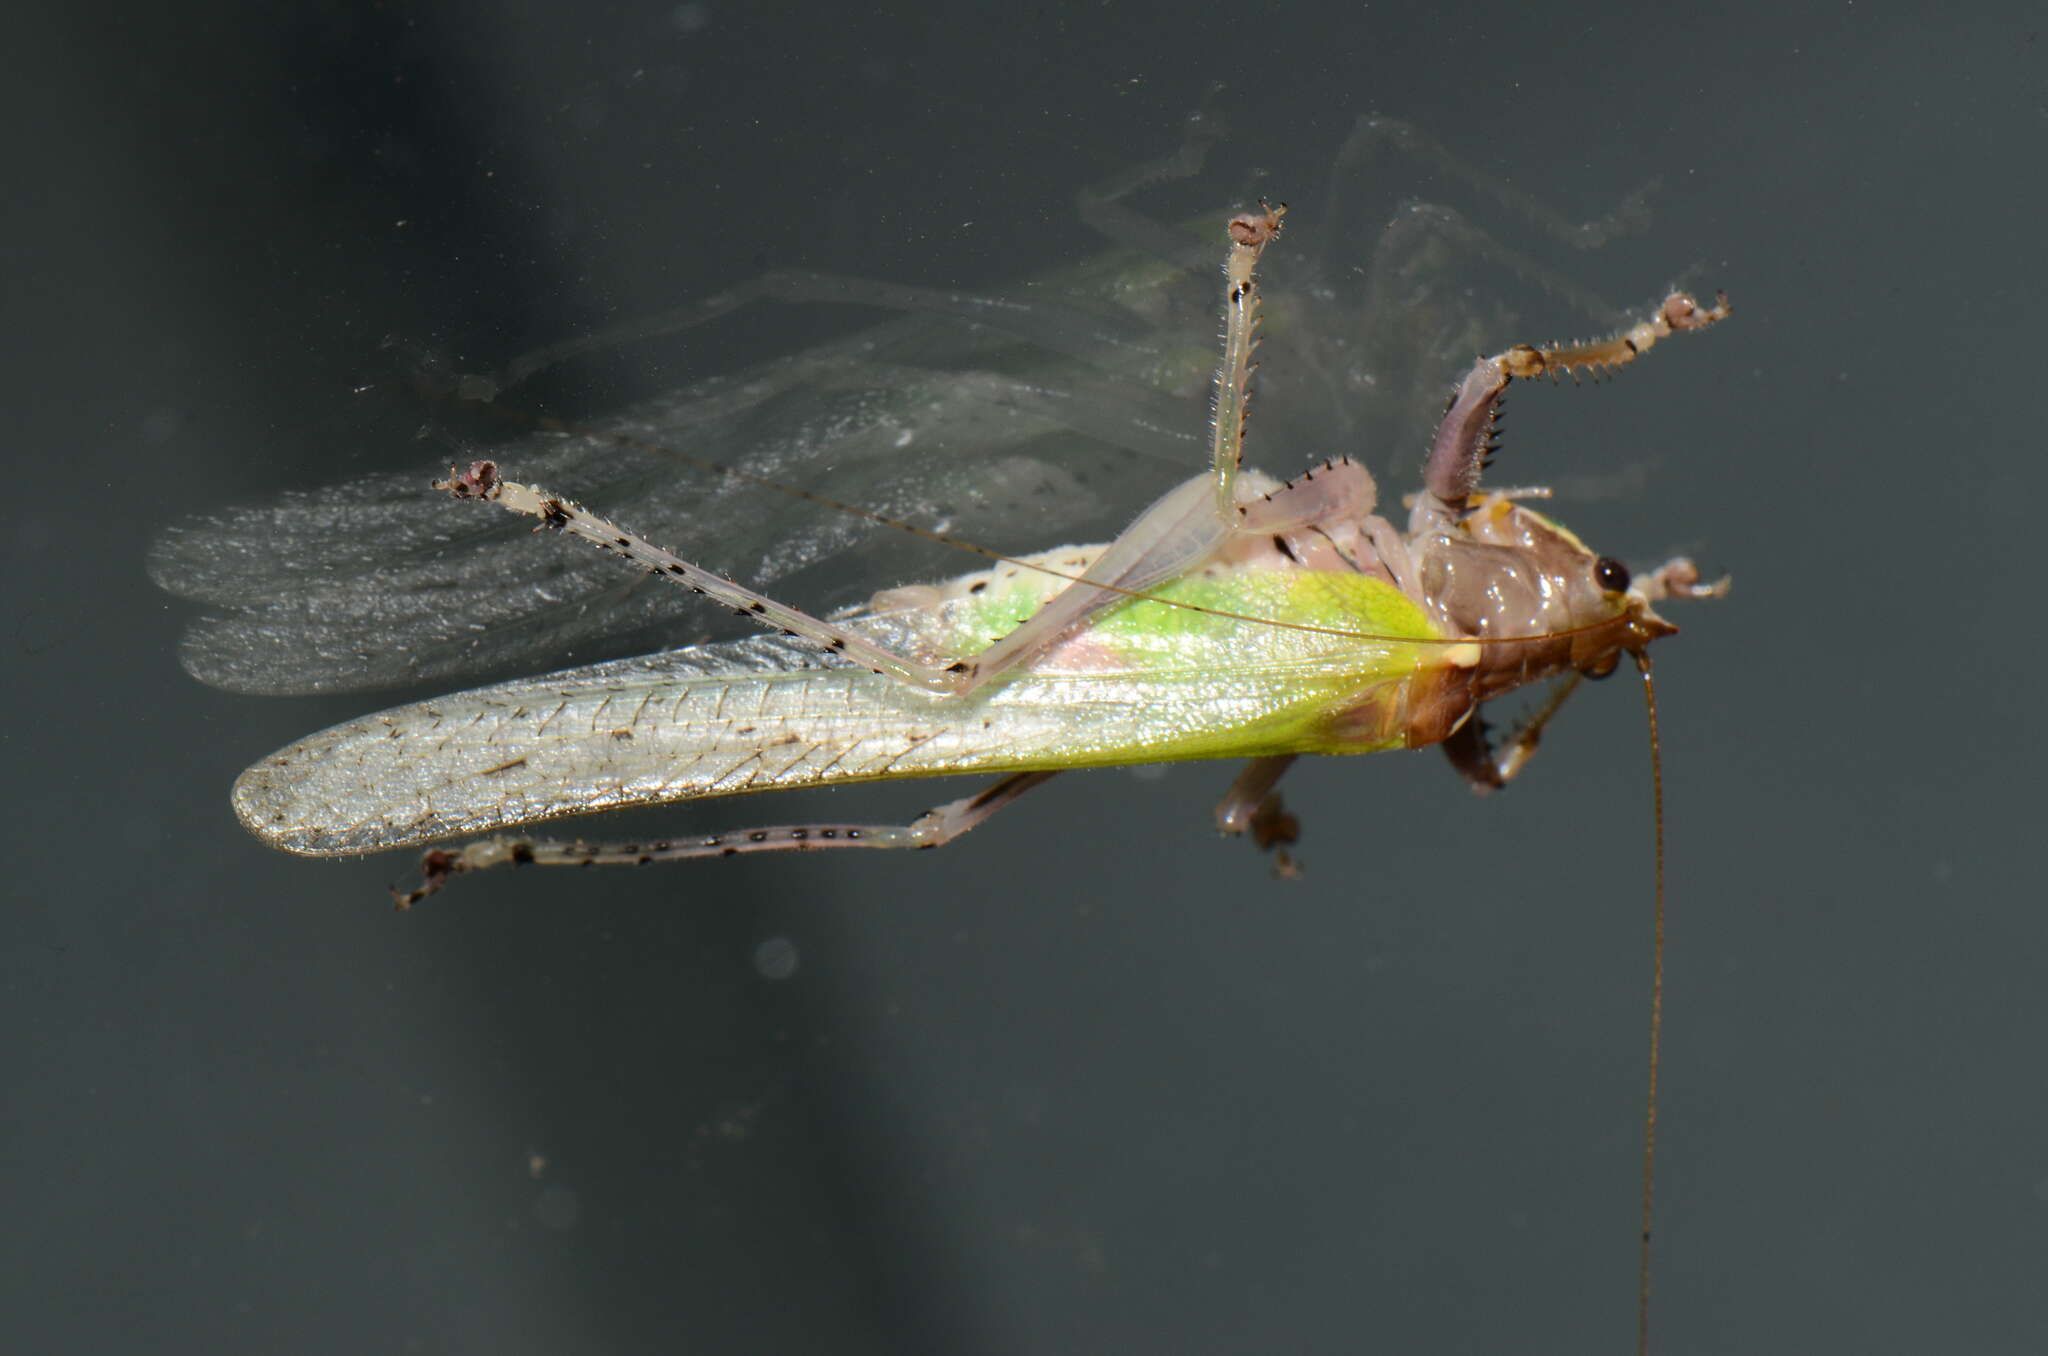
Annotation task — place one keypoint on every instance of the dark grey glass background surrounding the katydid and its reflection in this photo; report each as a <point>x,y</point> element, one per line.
<point>1086,1080</point>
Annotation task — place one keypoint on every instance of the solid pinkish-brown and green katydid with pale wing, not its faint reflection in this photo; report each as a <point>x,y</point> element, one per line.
<point>1234,618</point>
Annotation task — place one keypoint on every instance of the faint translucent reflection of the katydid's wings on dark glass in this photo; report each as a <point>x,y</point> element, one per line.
<point>943,421</point>
